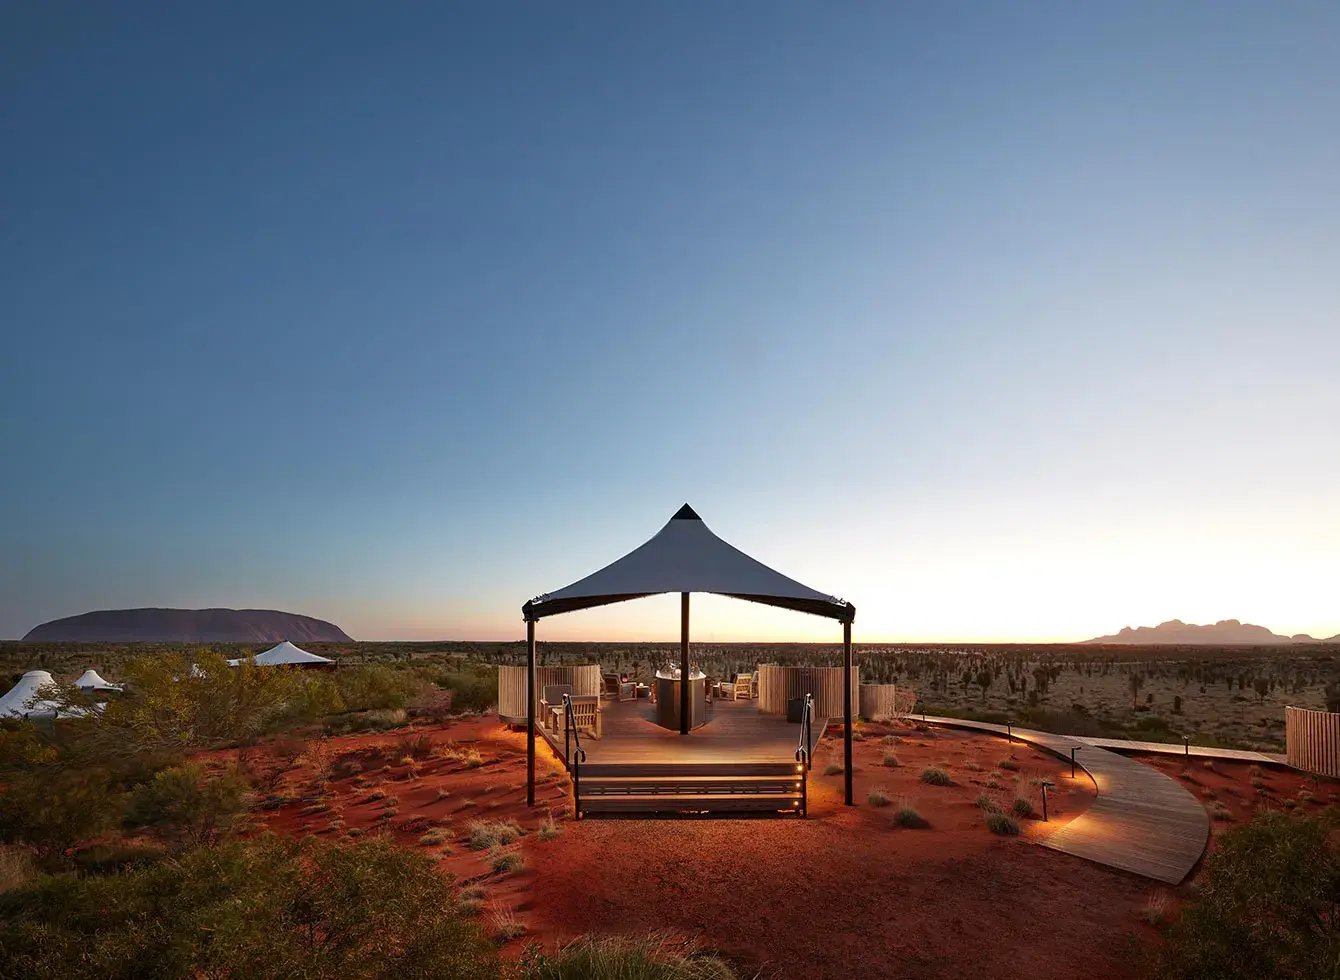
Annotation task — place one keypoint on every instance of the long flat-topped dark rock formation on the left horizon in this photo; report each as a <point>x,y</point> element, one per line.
<point>187,627</point>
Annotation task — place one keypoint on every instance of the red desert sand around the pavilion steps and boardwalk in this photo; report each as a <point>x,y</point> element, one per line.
<point>844,894</point>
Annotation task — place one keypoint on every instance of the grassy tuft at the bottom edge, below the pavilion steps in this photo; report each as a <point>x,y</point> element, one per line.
<point>612,958</point>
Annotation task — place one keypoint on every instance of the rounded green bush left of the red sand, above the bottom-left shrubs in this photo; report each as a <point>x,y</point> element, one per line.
<point>184,802</point>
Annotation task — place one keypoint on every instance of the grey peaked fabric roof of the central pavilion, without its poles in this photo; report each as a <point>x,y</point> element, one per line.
<point>687,557</point>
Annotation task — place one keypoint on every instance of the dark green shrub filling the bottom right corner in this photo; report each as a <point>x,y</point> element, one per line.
<point>1266,908</point>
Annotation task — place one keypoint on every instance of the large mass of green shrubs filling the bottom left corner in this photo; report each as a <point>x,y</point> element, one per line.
<point>266,908</point>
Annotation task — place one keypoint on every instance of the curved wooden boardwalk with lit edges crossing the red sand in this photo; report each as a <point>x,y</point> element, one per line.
<point>1142,821</point>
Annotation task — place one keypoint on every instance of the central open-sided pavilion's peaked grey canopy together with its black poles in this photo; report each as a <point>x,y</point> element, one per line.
<point>687,557</point>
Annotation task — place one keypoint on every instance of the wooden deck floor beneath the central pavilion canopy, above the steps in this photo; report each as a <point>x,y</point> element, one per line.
<point>738,733</point>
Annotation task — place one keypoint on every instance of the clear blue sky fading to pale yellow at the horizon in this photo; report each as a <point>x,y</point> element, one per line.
<point>1002,321</point>
